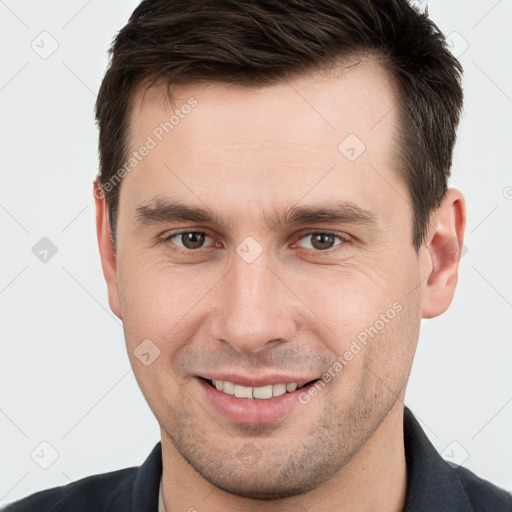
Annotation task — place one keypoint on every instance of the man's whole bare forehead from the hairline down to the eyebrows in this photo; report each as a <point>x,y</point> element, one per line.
<point>322,133</point>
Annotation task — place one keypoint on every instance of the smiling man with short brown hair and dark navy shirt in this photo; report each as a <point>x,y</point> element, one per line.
<point>274,221</point>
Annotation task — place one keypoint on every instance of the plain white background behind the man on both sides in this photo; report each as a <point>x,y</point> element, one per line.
<point>65,376</point>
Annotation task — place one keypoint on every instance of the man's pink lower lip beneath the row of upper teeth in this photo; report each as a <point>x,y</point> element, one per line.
<point>253,412</point>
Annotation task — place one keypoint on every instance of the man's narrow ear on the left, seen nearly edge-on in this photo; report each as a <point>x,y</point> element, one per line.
<point>106,247</point>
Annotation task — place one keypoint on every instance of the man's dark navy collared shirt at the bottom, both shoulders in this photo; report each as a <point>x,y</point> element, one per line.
<point>433,485</point>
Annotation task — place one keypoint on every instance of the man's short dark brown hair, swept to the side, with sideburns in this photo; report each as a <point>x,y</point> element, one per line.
<point>260,42</point>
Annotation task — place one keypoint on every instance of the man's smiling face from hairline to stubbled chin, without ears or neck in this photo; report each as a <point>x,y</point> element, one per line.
<point>266,239</point>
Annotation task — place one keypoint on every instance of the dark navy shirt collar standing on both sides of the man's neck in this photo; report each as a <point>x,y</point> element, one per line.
<point>432,484</point>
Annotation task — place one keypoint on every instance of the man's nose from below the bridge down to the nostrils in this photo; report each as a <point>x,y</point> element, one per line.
<point>255,309</point>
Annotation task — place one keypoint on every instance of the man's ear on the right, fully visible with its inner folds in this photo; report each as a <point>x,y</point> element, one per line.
<point>444,250</point>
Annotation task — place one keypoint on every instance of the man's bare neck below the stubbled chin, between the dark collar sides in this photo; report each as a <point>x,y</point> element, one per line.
<point>374,479</point>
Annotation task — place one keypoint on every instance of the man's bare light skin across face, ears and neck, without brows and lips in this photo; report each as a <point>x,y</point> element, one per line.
<point>247,153</point>
